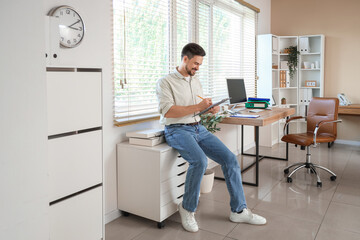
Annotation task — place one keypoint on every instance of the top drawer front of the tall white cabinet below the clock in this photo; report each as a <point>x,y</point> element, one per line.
<point>73,101</point>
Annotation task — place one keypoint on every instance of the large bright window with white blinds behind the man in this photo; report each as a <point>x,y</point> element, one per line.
<point>149,36</point>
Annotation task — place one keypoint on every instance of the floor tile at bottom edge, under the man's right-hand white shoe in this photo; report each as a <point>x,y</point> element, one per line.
<point>278,227</point>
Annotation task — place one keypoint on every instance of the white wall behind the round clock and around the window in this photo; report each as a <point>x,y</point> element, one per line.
<point>96,50</point>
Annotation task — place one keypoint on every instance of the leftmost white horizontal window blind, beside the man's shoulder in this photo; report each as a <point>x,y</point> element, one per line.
<point>141,56</point>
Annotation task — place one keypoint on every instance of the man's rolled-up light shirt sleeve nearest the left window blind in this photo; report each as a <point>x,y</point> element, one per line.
<point>164,96</point>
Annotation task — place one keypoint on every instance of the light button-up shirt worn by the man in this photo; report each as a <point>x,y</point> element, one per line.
<point>175,89</point>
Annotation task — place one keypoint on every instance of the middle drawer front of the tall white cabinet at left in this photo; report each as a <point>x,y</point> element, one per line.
<point>75,163</point>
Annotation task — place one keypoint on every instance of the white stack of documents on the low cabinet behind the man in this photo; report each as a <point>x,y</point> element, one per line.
<point>147,137</point>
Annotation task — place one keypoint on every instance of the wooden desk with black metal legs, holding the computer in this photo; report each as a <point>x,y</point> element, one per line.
<point>266,117</point>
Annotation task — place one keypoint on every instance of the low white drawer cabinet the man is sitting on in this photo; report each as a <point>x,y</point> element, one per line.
<point>150,180</point>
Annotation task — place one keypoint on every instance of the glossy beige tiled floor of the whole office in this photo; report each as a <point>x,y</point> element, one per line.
<point>297,210</point>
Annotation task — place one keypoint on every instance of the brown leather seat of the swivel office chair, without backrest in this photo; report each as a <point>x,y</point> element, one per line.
<point>307,139</point>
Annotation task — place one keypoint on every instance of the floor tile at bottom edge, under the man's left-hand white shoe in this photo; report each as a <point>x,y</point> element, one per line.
<point>175,231</point>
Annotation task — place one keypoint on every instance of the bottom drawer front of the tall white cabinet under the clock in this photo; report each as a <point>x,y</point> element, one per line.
<point>79,217</point>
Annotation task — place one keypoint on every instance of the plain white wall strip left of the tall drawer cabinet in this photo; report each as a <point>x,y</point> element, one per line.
<point>23,139</point>
